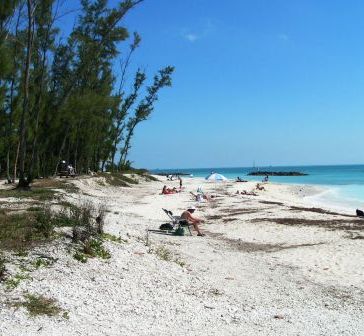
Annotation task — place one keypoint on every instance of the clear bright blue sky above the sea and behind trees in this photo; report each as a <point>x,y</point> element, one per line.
<point>275,82</point>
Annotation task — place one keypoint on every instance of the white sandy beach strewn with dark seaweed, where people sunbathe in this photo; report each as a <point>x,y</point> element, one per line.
<point>272,264</point>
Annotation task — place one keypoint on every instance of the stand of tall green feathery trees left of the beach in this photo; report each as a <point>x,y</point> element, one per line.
<point>73,107</point>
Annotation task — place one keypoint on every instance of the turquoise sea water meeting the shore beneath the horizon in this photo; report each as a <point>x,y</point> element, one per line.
<point>345,182</point>
